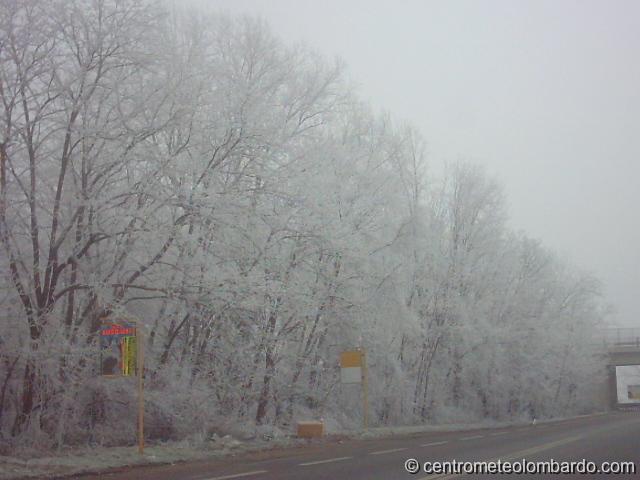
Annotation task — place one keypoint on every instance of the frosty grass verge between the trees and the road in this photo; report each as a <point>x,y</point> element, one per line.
<point>101,459</point>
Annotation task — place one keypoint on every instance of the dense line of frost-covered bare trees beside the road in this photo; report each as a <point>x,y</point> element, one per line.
<point>237,197</point>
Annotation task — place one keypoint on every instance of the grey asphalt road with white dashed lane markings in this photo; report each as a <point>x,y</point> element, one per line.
<point>613,437</point>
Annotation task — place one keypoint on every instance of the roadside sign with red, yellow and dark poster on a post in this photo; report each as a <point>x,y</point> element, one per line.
<point>122,355</point>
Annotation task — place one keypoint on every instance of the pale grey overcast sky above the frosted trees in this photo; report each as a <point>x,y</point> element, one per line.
<point>545,94</point>
